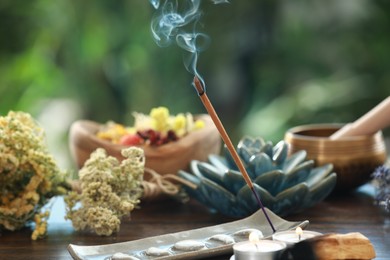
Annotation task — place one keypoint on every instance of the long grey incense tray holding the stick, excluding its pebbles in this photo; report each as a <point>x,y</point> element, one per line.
<point>166,243</point>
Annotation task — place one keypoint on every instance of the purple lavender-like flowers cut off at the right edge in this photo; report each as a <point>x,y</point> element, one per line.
<point>381,181</point>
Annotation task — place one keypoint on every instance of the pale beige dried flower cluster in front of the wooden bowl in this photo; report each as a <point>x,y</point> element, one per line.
<point>109,190</point>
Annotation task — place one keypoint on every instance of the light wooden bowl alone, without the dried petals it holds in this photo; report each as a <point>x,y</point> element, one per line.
<point>167,158</point>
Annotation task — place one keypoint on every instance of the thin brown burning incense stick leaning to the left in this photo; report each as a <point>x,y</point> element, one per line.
<point>211,111</point>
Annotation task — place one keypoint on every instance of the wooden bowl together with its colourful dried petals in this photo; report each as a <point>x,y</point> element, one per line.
<point>169,142</point>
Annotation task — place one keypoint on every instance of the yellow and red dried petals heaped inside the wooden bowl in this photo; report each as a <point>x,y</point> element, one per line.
<point>157,128</point>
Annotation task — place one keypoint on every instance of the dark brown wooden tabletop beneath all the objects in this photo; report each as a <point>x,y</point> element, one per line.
<point>342,214</point>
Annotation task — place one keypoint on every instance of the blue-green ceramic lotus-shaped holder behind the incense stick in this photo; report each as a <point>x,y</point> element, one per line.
<point>285,183</point>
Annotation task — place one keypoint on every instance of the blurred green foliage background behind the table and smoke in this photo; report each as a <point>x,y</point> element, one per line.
<point>271,64</point>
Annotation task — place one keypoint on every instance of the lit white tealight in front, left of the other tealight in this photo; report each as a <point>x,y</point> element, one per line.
<point>257,249</point>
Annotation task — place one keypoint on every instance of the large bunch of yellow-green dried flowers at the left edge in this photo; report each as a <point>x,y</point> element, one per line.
<point>29,176</point>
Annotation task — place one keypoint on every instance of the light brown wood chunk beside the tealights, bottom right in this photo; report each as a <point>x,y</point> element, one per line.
<point>343,246</point>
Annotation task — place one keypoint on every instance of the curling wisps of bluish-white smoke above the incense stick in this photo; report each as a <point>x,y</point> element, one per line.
<point>171,25</point>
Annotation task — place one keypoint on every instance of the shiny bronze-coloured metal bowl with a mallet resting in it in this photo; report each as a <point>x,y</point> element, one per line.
<point>354,158</point>
